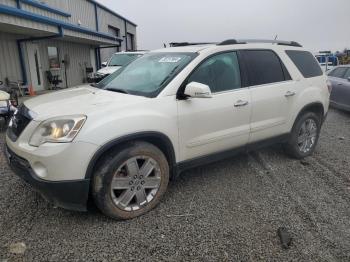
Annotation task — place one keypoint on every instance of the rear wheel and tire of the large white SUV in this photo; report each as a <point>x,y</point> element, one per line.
<point>294,147</point>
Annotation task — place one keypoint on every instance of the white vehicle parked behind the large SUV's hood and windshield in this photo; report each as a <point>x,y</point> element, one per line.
<point>117,61</point>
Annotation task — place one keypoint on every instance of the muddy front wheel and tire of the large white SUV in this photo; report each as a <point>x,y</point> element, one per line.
<point>137,188</point>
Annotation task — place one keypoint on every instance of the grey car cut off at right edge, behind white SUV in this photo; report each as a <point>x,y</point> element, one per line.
<point>339,79</point>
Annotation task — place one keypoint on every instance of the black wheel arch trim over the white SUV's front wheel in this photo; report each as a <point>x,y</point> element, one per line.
<point>157,139</point>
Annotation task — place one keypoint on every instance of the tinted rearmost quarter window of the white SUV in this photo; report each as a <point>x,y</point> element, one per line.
<point>305,62</point>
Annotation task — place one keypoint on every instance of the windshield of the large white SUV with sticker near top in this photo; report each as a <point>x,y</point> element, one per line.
<point>148,75</point>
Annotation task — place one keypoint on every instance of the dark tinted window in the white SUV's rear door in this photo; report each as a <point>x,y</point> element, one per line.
<point>264,67</point>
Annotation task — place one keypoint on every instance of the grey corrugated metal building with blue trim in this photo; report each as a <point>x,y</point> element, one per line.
<point>64,37</point>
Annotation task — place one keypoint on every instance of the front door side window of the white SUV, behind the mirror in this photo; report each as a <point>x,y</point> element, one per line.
<point>220,72</point>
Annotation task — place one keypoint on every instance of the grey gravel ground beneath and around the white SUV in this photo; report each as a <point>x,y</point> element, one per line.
<point>232,210</point>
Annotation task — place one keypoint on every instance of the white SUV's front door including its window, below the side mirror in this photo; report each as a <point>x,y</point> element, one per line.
<point>220,123</point>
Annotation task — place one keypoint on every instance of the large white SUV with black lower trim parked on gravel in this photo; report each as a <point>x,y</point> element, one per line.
<point>167,111</point>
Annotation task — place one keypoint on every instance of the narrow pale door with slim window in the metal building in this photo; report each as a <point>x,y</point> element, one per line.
<point>35,68</point>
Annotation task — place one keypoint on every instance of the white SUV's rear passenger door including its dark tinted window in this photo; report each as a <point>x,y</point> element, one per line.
<point>272,93</point>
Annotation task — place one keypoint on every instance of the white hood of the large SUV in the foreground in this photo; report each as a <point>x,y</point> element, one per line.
<point>83,100</point>
